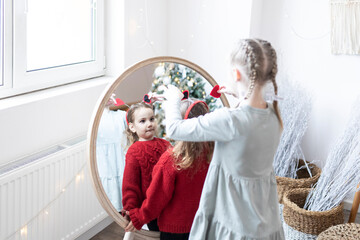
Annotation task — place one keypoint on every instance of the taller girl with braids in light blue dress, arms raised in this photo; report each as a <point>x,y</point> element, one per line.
<point>239,198</point>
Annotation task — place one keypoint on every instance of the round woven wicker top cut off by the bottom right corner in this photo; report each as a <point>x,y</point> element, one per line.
<point>348,231</point>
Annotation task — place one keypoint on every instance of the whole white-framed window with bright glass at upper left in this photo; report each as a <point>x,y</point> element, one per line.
<point>53,43</point>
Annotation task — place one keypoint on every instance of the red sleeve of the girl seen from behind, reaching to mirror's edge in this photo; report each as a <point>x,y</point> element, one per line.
<point>158,194</point>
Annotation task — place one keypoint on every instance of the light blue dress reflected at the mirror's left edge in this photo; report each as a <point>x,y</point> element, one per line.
<point>110,154</point>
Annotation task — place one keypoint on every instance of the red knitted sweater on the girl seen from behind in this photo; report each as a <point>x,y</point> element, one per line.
<point>173,196</point>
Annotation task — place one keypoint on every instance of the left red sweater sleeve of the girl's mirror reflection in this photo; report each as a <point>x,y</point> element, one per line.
<point>131,186</point>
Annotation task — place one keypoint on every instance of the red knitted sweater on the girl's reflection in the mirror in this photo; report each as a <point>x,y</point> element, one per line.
<point>141,158</point>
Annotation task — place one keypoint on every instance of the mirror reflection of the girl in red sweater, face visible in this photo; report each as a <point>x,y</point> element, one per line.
<point>144,152</point>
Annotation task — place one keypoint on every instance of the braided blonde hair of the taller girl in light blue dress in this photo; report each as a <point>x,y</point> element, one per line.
<point>257,59</point>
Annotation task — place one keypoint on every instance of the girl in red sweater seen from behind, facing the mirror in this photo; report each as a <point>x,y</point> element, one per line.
<point>174,193</point>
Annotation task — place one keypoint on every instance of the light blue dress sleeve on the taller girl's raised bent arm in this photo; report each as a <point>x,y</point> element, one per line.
<point>214,126</point>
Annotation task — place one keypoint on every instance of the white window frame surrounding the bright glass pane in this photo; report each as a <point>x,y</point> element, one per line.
<point>23,81</point>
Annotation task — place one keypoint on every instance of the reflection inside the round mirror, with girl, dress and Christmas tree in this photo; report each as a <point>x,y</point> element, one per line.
<point>115,135</point>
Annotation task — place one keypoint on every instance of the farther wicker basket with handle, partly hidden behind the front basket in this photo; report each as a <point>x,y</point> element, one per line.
<point>303,181</point>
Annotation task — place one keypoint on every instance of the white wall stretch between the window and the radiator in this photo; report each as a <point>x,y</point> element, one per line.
<point>34,122</point>
